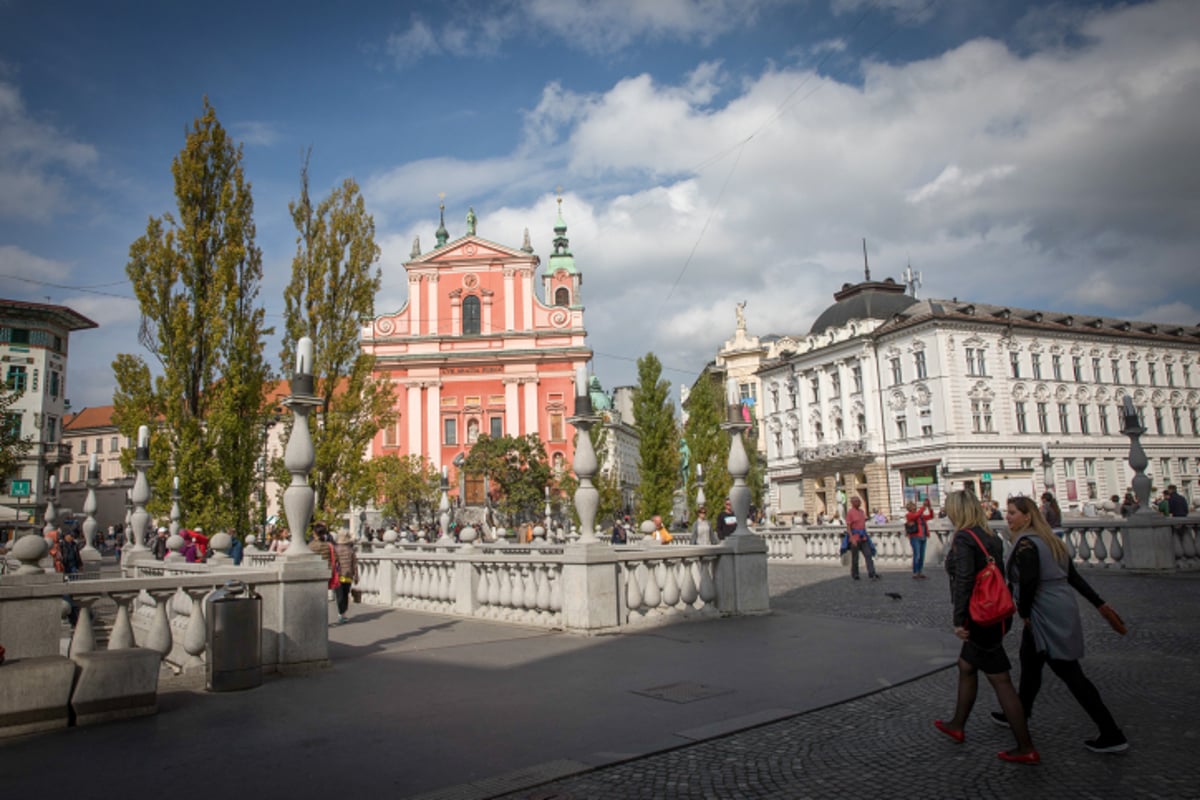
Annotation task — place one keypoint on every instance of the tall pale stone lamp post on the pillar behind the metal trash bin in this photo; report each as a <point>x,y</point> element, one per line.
<point>299,456</point>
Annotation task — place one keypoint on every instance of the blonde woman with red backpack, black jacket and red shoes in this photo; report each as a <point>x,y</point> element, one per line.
<point>983,646</point>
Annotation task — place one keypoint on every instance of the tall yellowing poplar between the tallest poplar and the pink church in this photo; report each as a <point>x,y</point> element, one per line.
<point>334,284</point>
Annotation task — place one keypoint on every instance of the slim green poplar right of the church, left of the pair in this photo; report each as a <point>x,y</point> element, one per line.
<point>659,447</point>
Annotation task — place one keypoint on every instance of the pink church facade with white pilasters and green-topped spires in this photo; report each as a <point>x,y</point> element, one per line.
<point>476,351</point>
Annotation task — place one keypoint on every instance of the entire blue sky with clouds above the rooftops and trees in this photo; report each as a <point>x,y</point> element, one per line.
<point>710,152</point>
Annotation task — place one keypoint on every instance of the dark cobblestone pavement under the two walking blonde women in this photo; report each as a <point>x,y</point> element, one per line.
<point>885,745</point>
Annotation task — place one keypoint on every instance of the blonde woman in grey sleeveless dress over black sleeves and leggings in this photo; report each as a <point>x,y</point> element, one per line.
<point>1045,579</point>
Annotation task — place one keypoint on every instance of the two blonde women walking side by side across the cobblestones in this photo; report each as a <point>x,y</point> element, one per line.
<point>1043,581</point>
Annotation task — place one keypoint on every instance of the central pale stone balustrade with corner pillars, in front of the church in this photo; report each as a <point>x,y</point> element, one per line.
<point>569,587</point>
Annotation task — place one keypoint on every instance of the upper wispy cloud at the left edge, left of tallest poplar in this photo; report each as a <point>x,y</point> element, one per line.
<point>35,160</point>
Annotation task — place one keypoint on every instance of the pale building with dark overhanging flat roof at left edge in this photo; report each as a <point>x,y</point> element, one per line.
<point>34,346</point>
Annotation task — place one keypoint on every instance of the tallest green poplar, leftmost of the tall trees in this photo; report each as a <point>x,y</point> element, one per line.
<point>196,278</point>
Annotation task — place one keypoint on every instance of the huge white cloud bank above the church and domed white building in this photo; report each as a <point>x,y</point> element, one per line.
<point>1054,179</point>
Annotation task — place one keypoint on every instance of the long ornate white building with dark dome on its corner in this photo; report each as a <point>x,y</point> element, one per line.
<point>895,399</point>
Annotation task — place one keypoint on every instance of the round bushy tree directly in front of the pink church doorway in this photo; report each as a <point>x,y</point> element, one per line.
<point>518,468</point>
